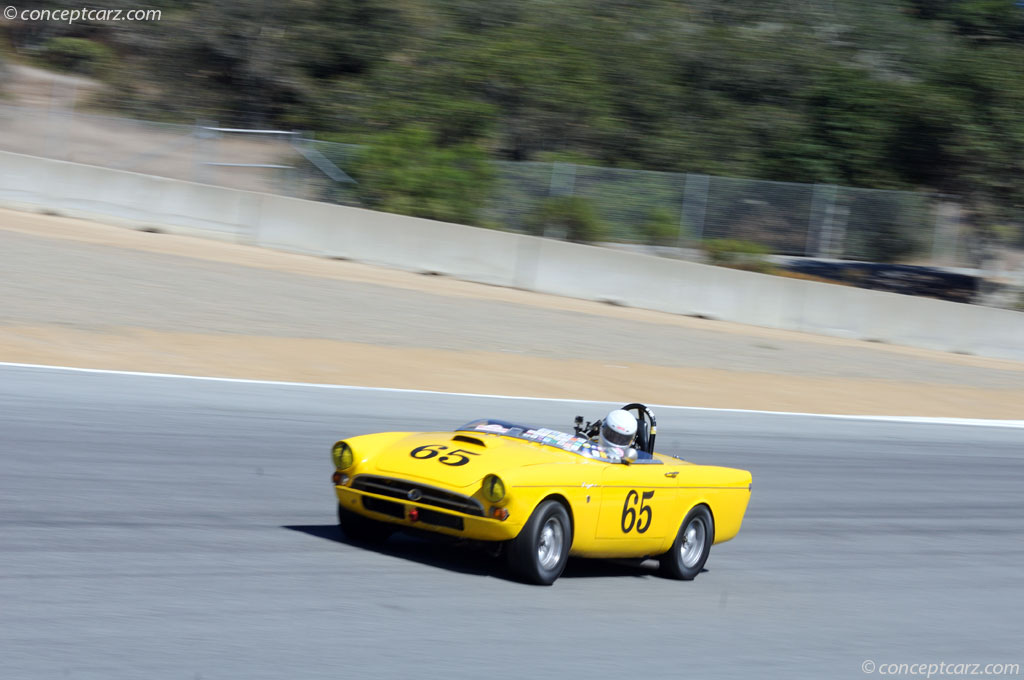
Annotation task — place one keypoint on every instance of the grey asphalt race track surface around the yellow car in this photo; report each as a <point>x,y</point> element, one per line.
<point>161,528</point>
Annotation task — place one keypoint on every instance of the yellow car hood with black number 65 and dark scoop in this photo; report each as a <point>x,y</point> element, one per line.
<point>459,459</point>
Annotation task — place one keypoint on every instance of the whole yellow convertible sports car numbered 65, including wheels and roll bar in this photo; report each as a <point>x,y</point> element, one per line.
<point>540,495</point>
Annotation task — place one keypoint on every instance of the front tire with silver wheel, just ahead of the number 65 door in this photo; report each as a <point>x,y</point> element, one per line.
<point>541,551</point>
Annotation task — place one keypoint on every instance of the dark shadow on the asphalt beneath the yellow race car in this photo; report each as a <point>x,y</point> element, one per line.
<point>470,559</point>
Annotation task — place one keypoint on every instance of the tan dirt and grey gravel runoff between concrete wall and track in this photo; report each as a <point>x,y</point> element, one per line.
<point>82,294</point>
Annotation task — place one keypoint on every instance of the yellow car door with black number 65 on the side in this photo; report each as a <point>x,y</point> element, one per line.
<point>638,503</point>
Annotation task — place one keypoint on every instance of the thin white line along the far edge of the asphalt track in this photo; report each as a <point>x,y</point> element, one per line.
<point>245,381</point>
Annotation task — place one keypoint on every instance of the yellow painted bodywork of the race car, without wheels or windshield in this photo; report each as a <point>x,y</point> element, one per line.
<point>617,509</point>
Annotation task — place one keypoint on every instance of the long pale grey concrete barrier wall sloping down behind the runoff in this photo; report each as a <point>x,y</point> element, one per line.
<point>507,260</point>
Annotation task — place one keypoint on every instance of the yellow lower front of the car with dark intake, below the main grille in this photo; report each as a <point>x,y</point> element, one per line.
<point>429,518</point>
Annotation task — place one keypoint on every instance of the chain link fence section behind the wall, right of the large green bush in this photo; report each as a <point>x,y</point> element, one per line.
<point>787,219</point>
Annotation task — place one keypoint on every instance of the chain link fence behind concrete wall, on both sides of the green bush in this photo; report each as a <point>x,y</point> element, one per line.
<point>634,207</point>
